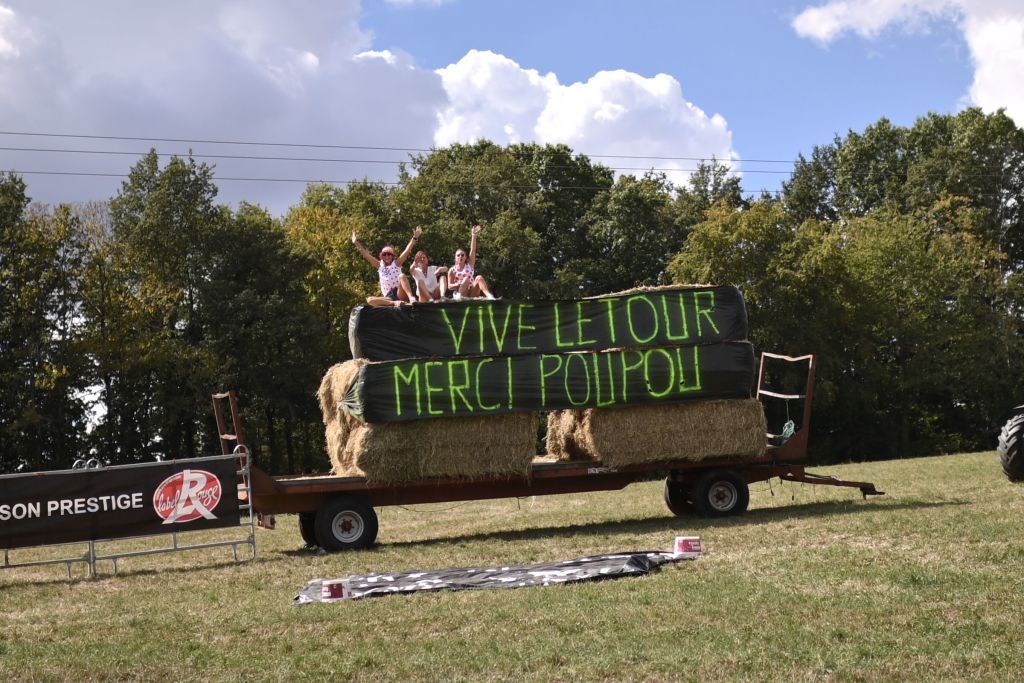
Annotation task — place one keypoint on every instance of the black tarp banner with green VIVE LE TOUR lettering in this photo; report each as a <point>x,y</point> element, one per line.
<point>452,329</point>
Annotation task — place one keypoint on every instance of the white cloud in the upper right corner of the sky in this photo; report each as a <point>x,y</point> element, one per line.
<point>994,31</point>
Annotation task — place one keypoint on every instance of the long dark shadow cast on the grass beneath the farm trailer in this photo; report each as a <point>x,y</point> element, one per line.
<point>672,524</point>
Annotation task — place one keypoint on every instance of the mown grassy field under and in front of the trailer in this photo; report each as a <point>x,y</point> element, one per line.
<point>813,584</point>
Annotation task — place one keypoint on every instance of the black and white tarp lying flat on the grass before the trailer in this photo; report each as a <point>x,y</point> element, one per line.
<point>598,568</point>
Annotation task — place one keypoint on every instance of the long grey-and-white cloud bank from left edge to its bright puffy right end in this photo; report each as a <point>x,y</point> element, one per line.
<point>265,71</point>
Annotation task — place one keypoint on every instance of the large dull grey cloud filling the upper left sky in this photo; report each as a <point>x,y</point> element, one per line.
<point>250,70</point>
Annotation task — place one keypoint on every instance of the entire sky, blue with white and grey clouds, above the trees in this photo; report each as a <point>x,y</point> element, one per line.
<point>738,80</point>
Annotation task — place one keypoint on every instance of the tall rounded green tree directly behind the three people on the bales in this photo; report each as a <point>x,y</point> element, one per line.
<point>535,202</point>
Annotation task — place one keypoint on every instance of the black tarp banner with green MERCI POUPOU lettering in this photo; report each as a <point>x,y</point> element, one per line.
<point>401,391</point>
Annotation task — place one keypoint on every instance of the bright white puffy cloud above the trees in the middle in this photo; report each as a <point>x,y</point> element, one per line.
<point>614,113</point>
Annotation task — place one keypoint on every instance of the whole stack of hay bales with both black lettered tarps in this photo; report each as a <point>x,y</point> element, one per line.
<point>678,350</point>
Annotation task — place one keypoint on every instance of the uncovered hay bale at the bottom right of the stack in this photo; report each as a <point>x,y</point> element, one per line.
<point>695,432</point>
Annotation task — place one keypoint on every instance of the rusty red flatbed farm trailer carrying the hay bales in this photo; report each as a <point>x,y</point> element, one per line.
<point>337,514</point>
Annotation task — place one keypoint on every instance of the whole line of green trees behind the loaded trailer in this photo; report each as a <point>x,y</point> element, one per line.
<point>895,254</point>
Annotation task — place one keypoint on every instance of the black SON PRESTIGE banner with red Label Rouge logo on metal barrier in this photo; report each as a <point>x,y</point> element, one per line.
<point>47,508</point>
